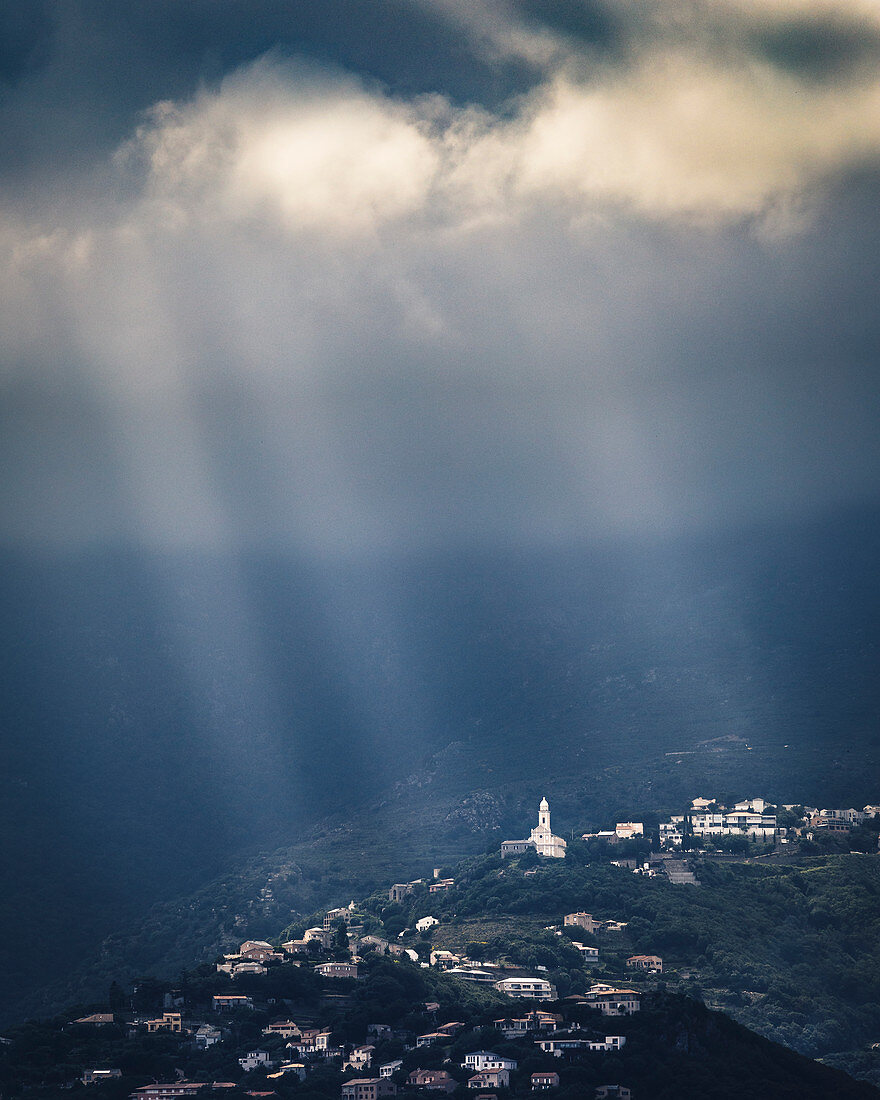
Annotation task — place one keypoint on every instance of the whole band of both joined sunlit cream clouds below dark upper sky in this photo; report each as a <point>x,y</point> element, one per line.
<point>672,134</point>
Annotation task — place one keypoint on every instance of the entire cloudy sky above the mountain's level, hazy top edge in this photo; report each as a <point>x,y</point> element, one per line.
<point>356,277</point>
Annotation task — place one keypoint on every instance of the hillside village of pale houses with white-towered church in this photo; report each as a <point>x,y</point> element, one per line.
<point>289,1010</point>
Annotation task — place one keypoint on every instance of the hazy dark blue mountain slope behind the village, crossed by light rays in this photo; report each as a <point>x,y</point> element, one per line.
<point>167,718</point>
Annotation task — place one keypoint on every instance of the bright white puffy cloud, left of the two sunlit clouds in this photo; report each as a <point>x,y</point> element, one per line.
<point>290,144</point>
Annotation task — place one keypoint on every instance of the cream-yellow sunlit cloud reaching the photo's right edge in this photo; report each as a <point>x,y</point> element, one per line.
<point>679,136</point>
